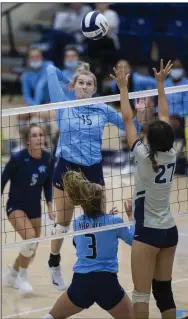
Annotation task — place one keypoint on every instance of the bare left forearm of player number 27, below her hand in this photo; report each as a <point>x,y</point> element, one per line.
<point>126,110</point>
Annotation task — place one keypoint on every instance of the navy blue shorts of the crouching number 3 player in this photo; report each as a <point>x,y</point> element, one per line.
<point>100,287</point>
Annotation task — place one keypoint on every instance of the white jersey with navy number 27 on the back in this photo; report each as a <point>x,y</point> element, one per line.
<point>151,199</point>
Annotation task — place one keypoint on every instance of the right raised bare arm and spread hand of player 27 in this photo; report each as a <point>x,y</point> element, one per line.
<point>160,77</point>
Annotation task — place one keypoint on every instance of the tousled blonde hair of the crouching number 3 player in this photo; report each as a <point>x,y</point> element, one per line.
<point>84,193</point>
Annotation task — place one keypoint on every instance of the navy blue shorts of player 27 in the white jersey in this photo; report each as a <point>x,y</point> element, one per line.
<point>159,238</point>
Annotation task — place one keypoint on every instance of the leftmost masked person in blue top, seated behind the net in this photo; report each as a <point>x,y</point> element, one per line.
<point>35,92</point>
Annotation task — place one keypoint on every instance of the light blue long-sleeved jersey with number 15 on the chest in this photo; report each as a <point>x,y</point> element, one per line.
<point>81,128</point>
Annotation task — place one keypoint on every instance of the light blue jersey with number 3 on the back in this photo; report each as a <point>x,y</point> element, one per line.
<point>98,251</point>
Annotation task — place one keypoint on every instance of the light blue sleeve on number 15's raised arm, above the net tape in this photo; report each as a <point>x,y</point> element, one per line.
<point>54,86</point>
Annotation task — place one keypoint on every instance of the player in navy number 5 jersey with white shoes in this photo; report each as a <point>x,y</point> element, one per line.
<point>29,172</point>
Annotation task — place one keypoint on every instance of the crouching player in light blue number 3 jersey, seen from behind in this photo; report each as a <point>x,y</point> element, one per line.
<point>95,272</point>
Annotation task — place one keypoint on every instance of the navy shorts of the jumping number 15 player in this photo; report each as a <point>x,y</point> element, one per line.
<point>93,173</point>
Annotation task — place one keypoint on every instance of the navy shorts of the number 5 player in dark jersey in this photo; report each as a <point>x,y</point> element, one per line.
<point>32,210</point>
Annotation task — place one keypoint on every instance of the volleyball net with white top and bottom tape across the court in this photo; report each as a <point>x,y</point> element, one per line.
<point>118,163</point>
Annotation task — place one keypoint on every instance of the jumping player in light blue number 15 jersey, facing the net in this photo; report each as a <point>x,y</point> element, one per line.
<point>79,148</point>
